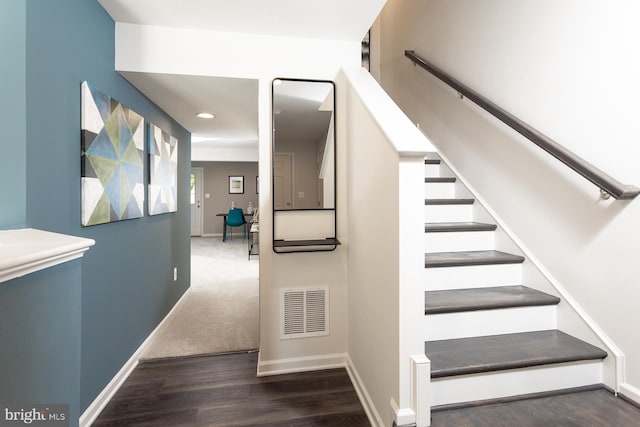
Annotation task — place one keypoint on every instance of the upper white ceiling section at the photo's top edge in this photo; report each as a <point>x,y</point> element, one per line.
<point>322,19</point>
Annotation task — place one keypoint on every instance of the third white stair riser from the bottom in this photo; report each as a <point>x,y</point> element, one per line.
<point>475,276</point>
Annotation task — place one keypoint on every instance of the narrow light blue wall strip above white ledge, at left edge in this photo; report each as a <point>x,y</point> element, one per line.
<point>12,114</point>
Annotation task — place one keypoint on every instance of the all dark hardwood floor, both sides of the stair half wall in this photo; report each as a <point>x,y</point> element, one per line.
<point>224,391</point>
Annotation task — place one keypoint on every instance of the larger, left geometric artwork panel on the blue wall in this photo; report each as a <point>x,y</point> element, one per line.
<point>112,159</point>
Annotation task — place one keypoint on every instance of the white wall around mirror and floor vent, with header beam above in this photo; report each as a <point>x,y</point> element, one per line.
<point>180,51</point>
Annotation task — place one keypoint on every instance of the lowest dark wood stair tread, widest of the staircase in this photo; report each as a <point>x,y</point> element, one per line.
<point>476,355</point>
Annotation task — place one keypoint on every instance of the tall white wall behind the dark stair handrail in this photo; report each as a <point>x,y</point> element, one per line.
<point>569,69</point>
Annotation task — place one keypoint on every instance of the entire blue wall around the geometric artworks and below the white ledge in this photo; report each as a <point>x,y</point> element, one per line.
<point>103,306</point>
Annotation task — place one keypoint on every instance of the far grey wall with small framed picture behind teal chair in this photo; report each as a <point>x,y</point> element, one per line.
<point>216,184</point>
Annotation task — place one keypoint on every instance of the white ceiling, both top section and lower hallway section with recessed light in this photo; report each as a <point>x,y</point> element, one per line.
<point>233,101</point>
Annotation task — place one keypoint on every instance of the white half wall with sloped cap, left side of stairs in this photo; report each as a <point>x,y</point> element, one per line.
<point>385,249</point>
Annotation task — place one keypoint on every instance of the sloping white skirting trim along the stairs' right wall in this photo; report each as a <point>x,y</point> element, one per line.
<point>564,294</point>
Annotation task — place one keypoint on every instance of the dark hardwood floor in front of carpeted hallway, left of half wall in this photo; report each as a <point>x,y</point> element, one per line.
<point>224,391</point>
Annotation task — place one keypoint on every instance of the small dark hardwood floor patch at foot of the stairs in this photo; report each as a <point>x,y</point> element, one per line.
<point>593,408</point>
